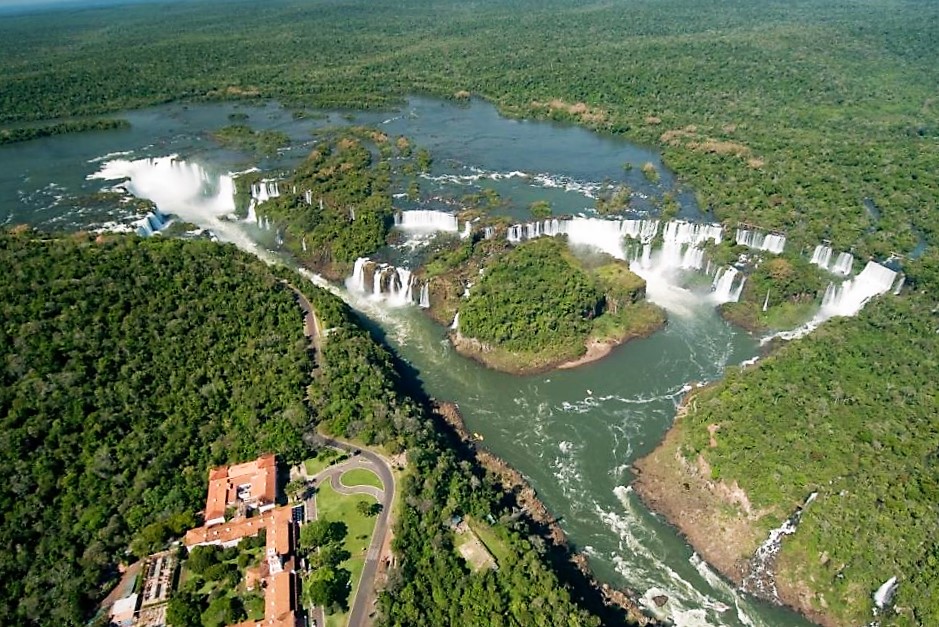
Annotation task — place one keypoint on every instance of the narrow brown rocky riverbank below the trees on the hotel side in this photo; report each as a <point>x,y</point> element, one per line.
<point>514,484</point>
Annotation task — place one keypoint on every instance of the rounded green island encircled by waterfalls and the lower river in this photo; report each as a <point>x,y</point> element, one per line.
<point>537,306</point>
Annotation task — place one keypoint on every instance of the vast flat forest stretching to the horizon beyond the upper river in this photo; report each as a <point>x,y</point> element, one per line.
<point>816,118</point>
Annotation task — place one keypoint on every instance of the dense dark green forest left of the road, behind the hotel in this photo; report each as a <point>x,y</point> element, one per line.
<point>130,367</point>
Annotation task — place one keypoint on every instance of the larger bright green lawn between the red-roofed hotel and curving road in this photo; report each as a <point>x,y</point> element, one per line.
<point>331,505</point>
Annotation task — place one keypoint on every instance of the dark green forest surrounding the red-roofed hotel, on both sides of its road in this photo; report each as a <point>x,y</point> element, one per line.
<point>131,366</point>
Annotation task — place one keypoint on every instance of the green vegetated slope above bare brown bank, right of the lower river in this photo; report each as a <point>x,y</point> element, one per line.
<point>849,412</point>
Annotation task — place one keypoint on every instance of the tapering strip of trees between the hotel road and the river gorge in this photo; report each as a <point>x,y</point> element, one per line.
<point>432,585</point>
